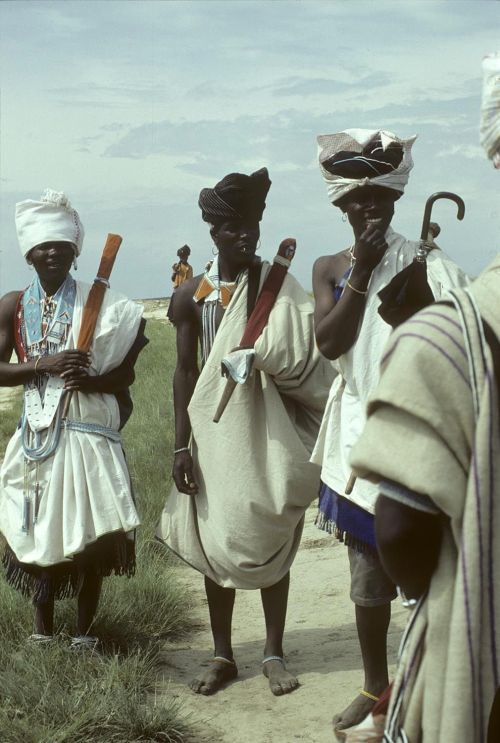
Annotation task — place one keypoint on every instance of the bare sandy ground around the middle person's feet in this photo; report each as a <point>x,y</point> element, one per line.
<point>321,647</point>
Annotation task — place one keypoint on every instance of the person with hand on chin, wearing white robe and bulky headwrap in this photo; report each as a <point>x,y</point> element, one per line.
<point>365,172</point>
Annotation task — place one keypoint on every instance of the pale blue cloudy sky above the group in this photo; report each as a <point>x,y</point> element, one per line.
<point>132,107</point>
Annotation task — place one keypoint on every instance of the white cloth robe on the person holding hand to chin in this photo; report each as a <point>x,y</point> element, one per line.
<point>345,413</point>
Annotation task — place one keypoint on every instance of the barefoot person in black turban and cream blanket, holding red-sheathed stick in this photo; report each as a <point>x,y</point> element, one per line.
<point>242,485</point>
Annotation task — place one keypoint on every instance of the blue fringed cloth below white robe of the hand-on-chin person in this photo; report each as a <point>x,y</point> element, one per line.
<point>348,522</point>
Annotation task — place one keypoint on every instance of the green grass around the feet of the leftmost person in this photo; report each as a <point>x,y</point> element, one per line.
<point>47,695</point>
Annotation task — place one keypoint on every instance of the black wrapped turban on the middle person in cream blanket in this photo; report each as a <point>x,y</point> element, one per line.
<point>236,196</point>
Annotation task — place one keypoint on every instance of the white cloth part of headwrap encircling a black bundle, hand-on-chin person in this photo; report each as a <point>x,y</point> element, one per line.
<point>355,140</point>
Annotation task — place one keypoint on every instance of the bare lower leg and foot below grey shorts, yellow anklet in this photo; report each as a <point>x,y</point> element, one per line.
<point>372,623</point>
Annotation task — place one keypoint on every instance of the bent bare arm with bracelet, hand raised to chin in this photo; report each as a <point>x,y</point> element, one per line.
<point>336,324</point>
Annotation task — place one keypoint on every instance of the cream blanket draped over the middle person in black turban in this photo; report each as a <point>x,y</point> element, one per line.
<point>243,528</point>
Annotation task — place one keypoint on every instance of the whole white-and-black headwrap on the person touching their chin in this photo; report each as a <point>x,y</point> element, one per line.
<point>363,157</point>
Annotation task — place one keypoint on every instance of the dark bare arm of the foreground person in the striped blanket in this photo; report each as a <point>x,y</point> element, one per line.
<point>409,543</point>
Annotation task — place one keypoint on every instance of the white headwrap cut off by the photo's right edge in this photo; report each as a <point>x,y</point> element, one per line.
<point>489,132</point>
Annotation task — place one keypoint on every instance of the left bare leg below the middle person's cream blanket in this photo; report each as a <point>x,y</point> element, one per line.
<point>220,606</point>
